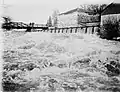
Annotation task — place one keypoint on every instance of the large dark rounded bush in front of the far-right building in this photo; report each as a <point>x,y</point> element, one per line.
<point>110,28</point>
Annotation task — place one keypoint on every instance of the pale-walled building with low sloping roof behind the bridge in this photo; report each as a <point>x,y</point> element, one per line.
<point>76,17</point>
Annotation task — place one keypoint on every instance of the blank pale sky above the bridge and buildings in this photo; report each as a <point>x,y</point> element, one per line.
<point>38,10</point>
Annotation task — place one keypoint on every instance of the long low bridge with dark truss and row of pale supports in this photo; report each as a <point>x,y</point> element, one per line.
<point>32,27</point>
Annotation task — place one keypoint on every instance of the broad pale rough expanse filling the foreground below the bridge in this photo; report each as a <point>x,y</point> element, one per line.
<point>52,62</point>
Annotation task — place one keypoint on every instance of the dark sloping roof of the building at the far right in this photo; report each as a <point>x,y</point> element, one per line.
<point>113,8</point>
